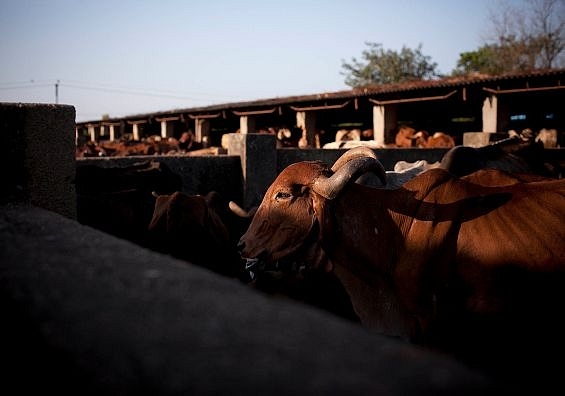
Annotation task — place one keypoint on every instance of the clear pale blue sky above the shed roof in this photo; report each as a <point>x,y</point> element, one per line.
<point>127,57</point>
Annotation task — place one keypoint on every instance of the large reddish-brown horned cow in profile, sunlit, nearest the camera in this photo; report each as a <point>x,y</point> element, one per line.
<point>475,271</point>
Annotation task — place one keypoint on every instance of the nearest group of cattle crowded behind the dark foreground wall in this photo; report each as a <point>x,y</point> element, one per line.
<point>465,256</point>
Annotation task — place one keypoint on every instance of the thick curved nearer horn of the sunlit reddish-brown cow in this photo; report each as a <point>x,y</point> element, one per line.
<point>329,187</point>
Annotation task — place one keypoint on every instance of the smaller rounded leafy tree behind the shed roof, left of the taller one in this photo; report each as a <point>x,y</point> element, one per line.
<point>379,66</point>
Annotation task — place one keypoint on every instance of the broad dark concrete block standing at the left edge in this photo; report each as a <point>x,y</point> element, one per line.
<point>39,167</point>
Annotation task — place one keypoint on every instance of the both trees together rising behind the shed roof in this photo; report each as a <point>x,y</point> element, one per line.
<point>526,38</point>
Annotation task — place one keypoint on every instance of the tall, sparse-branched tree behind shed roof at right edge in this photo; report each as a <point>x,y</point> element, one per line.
<point>521,39</point>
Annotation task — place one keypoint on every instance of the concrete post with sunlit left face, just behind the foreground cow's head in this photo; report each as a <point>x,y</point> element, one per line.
<point>258,153</point>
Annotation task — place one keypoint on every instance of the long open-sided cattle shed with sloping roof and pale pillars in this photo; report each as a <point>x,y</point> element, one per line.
<point>453,105</point>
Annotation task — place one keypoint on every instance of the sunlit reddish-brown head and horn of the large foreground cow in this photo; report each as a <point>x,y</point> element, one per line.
<point>294,216</point>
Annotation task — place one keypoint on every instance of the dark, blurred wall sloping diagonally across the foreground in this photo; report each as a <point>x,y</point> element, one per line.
<point>85,313</point>
